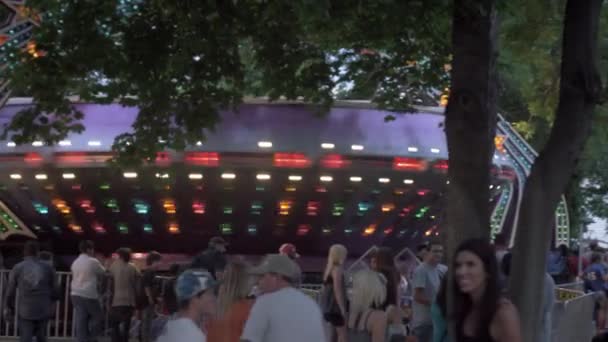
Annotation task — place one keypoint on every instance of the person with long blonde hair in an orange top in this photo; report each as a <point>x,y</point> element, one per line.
<point>234,304</point>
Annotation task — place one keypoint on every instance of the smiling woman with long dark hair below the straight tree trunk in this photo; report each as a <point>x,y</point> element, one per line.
<point>480,313</point>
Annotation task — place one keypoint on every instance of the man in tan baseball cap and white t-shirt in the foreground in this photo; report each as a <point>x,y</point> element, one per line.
<point>282,313</point>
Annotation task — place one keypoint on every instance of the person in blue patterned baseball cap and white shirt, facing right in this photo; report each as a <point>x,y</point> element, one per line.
<point>195,292</point>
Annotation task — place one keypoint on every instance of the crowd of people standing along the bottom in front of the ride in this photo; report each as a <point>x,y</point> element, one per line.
<point>216,298</point>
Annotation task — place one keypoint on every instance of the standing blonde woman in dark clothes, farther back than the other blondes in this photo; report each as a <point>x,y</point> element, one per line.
<point>333,301</point>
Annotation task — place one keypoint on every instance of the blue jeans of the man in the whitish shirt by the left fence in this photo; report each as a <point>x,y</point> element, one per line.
<point>88,318</point>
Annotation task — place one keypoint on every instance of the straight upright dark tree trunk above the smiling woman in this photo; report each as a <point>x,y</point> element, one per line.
<point>470,119</point>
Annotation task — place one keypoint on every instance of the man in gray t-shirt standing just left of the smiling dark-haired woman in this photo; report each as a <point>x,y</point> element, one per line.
<point>426,282</point>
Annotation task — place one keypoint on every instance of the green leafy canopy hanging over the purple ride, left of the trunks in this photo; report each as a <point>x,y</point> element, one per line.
<point>182,61</point>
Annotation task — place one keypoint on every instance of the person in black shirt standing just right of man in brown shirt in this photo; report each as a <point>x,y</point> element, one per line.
<point>151,293</point>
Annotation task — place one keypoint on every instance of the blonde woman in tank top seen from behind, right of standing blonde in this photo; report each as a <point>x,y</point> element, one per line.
<point>367,322</point>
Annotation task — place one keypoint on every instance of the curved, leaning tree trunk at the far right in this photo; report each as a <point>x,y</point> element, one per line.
<point>580,90</point>
